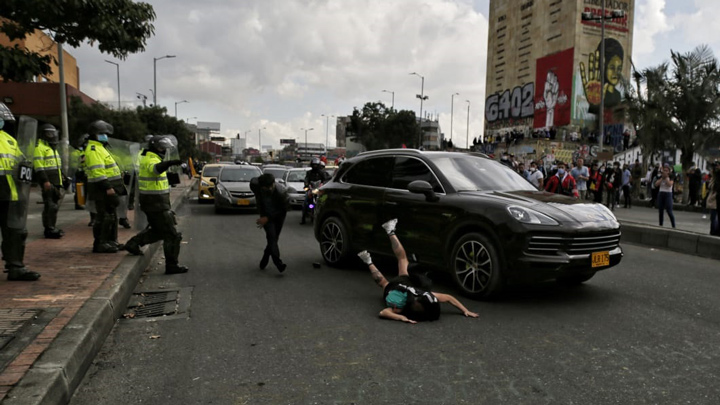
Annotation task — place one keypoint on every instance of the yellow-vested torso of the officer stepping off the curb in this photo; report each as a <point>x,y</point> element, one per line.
<point>154,187</point>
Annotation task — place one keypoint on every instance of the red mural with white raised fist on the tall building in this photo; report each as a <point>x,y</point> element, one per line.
<point>554,84</point>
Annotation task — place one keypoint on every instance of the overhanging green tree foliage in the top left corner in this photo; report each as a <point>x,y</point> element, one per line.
<point>119,27</point>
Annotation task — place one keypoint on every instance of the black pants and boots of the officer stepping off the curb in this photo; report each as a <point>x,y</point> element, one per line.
<point>161,226</point>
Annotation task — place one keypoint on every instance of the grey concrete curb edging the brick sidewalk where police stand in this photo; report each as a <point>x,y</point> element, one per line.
<point>57,373</point>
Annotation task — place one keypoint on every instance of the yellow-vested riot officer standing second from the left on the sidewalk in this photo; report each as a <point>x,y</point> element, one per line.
<point>47,173</point>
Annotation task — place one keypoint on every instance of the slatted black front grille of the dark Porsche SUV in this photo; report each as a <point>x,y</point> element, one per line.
<point>549,245</point>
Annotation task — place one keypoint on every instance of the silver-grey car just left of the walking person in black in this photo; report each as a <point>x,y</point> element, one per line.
<point>233,187</point>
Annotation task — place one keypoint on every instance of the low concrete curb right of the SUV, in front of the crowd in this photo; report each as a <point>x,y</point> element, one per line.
<point>671,239</point>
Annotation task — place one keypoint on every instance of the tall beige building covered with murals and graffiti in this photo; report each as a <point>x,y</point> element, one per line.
<point>543,67</point>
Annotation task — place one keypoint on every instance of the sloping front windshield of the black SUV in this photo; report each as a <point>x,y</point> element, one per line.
<point>473,173</point>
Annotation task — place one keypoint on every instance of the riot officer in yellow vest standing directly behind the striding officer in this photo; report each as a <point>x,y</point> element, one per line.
<point>105,187</point>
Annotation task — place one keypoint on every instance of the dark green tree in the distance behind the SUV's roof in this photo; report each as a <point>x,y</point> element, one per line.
<point>378,127</point>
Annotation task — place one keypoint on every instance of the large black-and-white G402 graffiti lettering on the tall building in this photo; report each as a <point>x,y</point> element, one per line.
<point>511,105</point>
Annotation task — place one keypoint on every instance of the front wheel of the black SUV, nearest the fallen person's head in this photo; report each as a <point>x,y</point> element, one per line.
<point>475,266</point>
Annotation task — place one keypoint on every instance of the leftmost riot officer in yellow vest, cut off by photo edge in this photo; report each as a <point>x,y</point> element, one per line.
<point>13,243</point>
